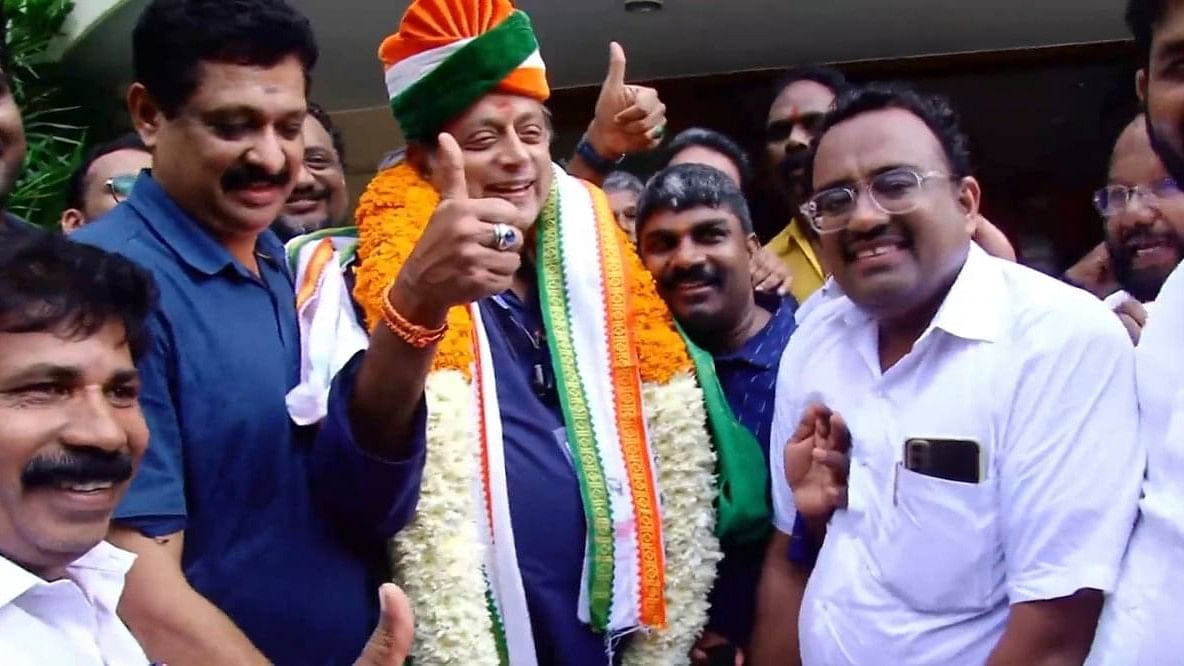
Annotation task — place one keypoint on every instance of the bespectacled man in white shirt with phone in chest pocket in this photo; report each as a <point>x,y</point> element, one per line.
<point>994,540</point>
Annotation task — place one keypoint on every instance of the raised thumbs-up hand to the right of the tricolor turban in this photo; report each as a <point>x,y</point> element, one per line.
<point>629,119</point>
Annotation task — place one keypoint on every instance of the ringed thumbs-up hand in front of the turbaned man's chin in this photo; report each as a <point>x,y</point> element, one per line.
<point>471,248</point>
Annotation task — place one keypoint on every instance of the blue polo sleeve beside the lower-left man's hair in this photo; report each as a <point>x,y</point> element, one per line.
<point>156,501</point>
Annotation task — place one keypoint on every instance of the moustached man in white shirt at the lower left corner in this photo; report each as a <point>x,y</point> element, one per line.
<point>72,433</point>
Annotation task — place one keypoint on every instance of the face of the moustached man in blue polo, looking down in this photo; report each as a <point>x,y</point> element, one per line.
<point>231,153</point>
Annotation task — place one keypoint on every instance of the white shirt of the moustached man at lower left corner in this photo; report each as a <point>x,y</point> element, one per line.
<point>70,622</point>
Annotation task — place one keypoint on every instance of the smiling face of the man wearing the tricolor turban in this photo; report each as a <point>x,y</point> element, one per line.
<point>506,144</point>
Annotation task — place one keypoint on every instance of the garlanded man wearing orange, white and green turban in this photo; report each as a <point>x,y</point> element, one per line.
<point>575,489</point>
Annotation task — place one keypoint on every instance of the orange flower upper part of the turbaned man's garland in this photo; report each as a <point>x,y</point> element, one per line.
<point>391,217</point>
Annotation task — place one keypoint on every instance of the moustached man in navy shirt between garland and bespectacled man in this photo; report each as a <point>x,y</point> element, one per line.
<point>694,234</point>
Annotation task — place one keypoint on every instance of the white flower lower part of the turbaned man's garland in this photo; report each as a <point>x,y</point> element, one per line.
<point>437,559</point>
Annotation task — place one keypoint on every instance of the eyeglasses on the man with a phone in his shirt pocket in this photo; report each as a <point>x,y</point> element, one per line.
<point>893,193</point>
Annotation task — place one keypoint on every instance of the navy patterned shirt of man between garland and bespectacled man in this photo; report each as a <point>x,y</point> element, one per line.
<point>749,377</point>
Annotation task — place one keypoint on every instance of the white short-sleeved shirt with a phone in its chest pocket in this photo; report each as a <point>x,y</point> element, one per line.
<point>919,571</point>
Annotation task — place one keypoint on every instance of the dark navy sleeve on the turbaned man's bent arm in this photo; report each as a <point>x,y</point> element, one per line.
<point>372,496</point>
